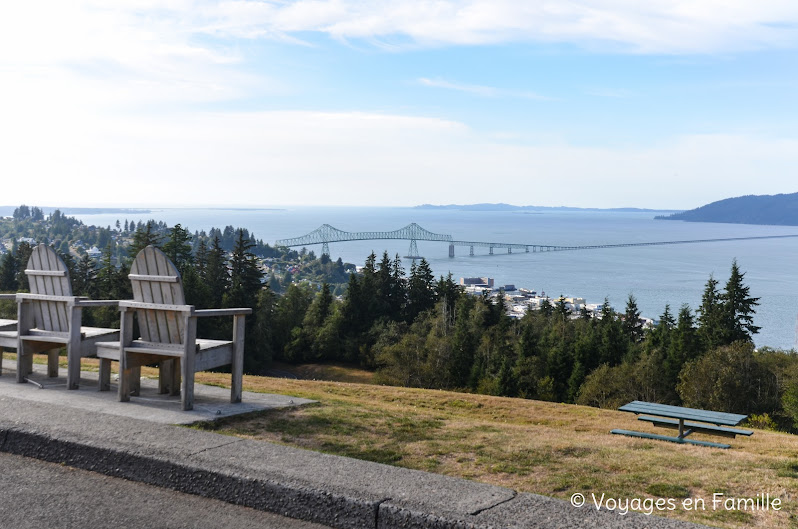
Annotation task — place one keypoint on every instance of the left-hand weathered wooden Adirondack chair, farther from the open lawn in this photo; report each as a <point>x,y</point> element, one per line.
<point>50,316</point>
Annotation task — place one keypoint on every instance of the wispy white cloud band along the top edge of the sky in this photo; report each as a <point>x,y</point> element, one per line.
<point>655,26</point>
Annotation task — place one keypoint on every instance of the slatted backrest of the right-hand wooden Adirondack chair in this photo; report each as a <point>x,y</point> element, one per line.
<point>155,279</point>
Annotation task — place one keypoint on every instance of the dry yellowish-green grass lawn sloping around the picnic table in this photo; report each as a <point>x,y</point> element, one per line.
<point>532,446</point>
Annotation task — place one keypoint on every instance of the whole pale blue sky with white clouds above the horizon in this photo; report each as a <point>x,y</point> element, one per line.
<point>584,103</point>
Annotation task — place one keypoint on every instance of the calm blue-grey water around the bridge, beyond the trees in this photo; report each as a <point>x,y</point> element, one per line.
<point>656,275</point>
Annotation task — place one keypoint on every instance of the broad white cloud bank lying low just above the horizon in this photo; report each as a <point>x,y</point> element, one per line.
<point>370,159</point>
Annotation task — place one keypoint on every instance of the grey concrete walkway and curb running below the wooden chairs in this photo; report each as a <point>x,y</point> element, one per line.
<point>132,441</point>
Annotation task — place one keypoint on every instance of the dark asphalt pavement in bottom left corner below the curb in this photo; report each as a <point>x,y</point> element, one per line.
<point>39,495</point>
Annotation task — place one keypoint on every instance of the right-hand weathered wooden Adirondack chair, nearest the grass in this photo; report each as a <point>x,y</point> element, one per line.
<point>168,334</point>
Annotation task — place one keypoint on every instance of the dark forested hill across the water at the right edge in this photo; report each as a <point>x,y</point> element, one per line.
<point>751,209</point>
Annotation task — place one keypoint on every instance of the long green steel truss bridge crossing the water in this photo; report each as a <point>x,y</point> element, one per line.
<point>326,234</point>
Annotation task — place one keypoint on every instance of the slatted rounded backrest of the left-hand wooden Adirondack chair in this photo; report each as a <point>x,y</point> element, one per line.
<point>48,275</point>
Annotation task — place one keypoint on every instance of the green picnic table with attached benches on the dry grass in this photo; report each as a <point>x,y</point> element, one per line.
<point>686,421</point>
